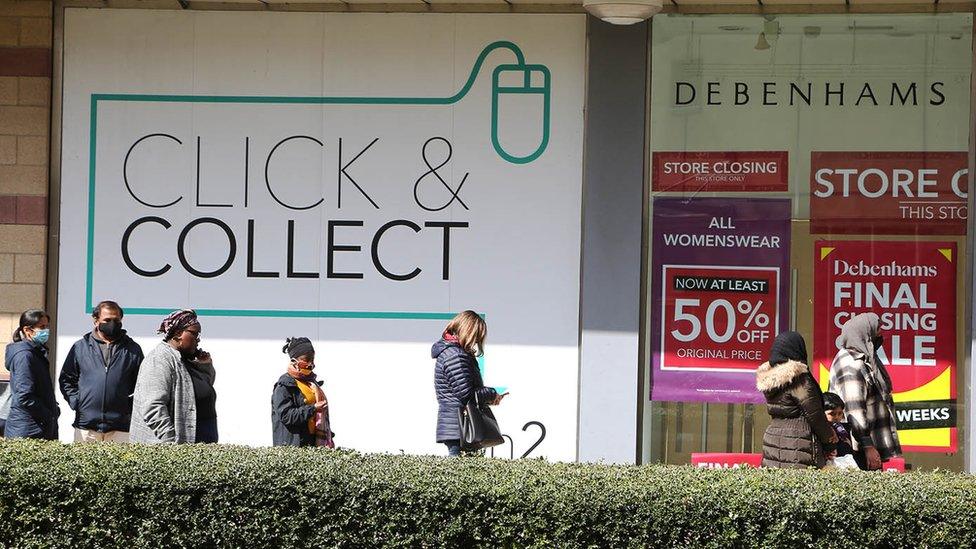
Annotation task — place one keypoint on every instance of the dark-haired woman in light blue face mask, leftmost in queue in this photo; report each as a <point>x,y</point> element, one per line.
<point>33,410</point>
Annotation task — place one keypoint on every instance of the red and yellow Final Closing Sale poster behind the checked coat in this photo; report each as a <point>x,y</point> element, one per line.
<point>912,287</point>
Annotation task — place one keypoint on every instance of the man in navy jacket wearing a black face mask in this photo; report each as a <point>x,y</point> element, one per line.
<point>99,376</point>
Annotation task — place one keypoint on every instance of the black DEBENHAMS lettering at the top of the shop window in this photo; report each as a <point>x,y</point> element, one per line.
<point>827,94</point>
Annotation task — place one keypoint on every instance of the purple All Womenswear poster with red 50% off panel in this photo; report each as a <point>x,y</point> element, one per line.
<point>720,294</point>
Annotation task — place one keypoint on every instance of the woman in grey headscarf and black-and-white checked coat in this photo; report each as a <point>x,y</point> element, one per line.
<point>861,380</point>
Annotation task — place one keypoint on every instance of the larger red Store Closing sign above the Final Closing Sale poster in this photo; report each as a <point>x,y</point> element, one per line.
<point>888,193</point>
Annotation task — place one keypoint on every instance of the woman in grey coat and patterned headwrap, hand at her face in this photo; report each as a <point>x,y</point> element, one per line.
<point>174,399</point>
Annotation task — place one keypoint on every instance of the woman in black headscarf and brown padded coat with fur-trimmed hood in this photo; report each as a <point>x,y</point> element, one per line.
<point>799,435</point>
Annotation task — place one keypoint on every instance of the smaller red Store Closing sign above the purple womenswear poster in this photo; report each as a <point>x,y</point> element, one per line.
<point>732,171</point>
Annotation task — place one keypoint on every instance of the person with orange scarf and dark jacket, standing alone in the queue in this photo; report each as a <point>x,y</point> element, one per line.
<point>299,408</point>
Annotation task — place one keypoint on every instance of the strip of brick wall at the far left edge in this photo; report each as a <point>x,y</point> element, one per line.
<point>25,123</point>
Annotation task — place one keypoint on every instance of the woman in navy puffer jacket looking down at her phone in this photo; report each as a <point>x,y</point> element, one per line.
<point>457,378</point>
